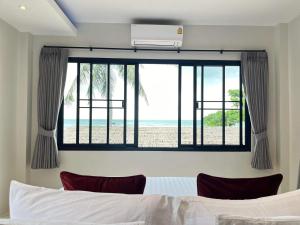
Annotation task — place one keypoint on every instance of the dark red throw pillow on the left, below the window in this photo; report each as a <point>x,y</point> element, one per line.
<point>125,185</point>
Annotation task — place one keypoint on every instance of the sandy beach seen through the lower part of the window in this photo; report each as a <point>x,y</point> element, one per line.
<point>152,136</point>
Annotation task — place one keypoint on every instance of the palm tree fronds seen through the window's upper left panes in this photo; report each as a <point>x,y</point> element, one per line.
<point>99,74</point>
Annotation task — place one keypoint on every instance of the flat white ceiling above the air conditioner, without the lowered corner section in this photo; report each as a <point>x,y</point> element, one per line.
<point>187,12</point>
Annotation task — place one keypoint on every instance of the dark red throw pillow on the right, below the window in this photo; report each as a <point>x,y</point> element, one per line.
<point>237,188</point>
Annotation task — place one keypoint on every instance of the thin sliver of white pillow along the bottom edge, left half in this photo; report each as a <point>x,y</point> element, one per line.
<point>39,222</point>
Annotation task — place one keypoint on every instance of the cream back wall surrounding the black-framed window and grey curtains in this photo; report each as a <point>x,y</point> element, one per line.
<point>107,163</point>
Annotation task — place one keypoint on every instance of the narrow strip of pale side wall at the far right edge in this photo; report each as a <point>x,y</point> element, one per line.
<point>294,93</point>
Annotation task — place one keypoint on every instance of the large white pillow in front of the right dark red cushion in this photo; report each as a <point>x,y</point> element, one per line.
<point>203,211</point>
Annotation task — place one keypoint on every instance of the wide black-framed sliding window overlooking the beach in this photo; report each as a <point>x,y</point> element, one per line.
<point>178,105</point>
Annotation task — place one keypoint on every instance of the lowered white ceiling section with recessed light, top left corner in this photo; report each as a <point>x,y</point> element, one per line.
<point>39,17</point>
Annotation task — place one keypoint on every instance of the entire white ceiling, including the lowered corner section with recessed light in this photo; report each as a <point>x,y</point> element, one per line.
<point>56,17</point>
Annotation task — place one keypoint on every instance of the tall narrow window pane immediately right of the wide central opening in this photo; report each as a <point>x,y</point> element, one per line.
<point>187,95</point>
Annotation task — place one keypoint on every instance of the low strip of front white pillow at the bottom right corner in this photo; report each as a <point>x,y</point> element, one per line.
<point>238,220</point>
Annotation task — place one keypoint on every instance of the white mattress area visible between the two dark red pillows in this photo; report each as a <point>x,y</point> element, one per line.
<point>172,186</point>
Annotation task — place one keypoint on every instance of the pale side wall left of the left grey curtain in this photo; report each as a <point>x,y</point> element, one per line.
<point>15,69</point>
